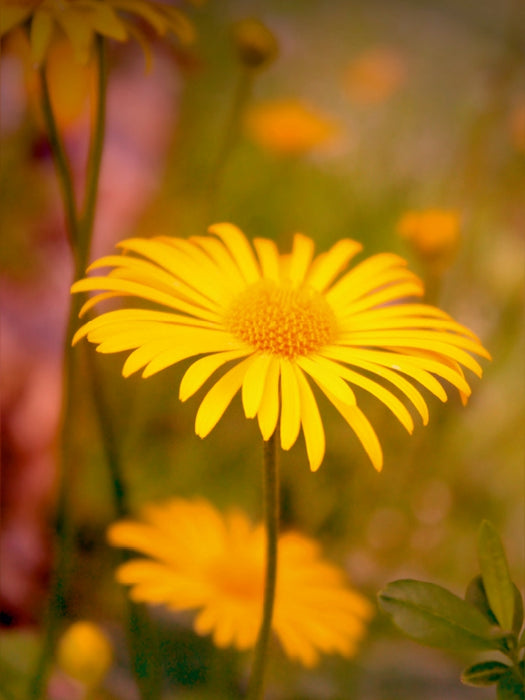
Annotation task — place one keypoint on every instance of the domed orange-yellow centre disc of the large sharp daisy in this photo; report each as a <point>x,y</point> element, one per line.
<point>281,320</point>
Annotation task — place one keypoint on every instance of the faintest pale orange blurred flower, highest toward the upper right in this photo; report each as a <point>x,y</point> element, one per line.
<point>375,75</point>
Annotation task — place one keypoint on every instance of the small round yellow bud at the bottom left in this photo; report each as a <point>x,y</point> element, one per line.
<point>85,653</point>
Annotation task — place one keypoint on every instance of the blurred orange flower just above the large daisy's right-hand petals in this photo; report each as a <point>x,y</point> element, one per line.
<point>433,235</point>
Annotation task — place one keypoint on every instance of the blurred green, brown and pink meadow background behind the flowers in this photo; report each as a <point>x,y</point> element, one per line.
<point>413,106</point>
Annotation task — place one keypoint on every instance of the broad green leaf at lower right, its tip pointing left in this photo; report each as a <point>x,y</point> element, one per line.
<point>434,616</point>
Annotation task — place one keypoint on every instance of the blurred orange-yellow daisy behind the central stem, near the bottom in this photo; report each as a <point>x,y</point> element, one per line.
<point>198,559</point>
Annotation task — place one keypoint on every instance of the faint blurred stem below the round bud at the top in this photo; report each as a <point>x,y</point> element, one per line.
<point>241,96</point>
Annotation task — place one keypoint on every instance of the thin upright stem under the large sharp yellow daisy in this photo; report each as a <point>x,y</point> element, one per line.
<point>271,520</point>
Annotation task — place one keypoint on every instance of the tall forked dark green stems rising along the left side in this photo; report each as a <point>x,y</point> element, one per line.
<point>80,230</point>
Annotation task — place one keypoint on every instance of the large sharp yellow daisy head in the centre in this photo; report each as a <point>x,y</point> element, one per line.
<point>280,322</point>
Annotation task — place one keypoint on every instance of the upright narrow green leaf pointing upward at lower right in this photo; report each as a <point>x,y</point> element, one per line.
<point>495,575</point>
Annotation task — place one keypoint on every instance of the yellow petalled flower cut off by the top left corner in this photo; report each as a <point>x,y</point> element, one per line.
<point>81,20</point>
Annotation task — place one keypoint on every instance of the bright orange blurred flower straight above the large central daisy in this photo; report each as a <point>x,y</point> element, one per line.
<point>289,126</point>
